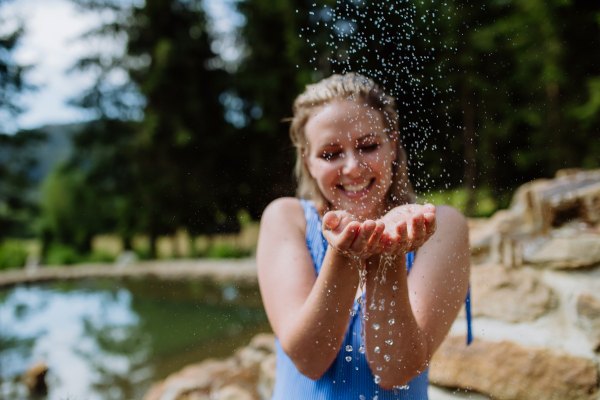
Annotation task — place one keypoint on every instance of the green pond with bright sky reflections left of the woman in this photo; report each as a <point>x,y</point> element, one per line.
<point>111,339</point>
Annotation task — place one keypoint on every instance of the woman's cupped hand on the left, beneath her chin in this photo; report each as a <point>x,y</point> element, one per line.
<point>352,238</point>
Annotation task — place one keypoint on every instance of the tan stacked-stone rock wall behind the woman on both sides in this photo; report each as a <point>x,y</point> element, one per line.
<point>536,306</point>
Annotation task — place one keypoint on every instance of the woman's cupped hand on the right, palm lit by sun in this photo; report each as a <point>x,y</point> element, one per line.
<point>408,227</point>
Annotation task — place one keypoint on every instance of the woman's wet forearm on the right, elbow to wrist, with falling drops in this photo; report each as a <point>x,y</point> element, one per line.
<point>396,348</point>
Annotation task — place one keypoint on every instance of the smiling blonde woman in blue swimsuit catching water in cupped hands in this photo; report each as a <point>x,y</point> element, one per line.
<point>342,334</point>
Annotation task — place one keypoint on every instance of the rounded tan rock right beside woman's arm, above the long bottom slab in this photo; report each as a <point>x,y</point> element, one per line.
<point>508,294</point>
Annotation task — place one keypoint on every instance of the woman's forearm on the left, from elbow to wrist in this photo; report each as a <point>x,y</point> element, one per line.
<point>314,334</point>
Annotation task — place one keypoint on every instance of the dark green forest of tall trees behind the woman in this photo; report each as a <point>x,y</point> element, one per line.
<point>491,94</point>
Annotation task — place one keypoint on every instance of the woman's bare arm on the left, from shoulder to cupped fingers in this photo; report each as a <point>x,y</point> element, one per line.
<point>309,314</point>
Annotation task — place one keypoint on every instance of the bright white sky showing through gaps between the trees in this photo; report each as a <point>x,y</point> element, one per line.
<point>51,45</point>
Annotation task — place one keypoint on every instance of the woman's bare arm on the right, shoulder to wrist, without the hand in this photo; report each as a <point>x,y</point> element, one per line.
<point>424,304</point>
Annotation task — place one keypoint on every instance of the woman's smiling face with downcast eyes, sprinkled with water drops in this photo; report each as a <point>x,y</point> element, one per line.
<point>350,155</point>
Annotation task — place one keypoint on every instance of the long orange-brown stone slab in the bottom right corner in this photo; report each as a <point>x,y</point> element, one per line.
<point>509,371</point>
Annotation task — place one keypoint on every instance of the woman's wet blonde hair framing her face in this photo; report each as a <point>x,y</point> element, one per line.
<point>346,87</point>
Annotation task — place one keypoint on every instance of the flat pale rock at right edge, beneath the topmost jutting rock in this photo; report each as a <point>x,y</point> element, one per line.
<point>566,252</point>
